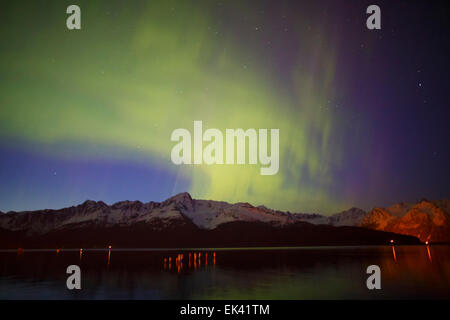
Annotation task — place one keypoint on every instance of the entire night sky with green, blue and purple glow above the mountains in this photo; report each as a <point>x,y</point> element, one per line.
<point>87,114</point>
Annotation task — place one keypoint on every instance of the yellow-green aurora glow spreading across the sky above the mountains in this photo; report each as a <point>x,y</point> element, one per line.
<point>135,73</point>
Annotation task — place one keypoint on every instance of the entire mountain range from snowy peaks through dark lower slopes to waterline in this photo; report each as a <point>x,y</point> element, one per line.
<point>181,221</point>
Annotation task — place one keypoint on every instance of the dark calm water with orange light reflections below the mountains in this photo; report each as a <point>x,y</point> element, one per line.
<point>268,273</point>
